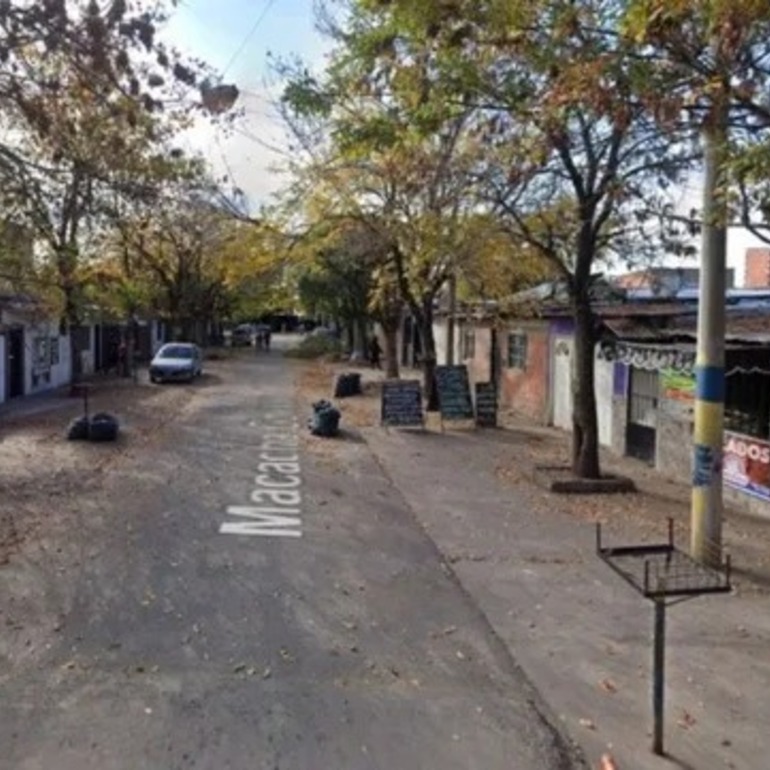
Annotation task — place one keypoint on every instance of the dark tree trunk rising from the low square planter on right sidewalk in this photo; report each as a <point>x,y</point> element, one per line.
<point>585,435</point>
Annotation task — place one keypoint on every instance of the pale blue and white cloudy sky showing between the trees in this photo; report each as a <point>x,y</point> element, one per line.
<point>235,37</point>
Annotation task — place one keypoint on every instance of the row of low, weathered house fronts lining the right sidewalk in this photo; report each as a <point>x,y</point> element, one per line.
<point>644,383</point>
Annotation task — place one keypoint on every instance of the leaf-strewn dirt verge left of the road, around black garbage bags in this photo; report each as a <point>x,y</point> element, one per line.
<point>50,492</point>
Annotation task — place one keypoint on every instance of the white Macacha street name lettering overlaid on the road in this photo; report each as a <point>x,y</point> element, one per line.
<point>275,505</point>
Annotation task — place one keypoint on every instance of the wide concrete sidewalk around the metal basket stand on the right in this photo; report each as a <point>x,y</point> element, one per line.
<point>581,634</point>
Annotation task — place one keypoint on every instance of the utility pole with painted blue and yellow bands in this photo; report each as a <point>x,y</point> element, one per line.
<point>707,506</point>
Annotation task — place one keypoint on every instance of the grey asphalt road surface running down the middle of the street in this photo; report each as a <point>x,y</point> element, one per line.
<point>246,603</point>
